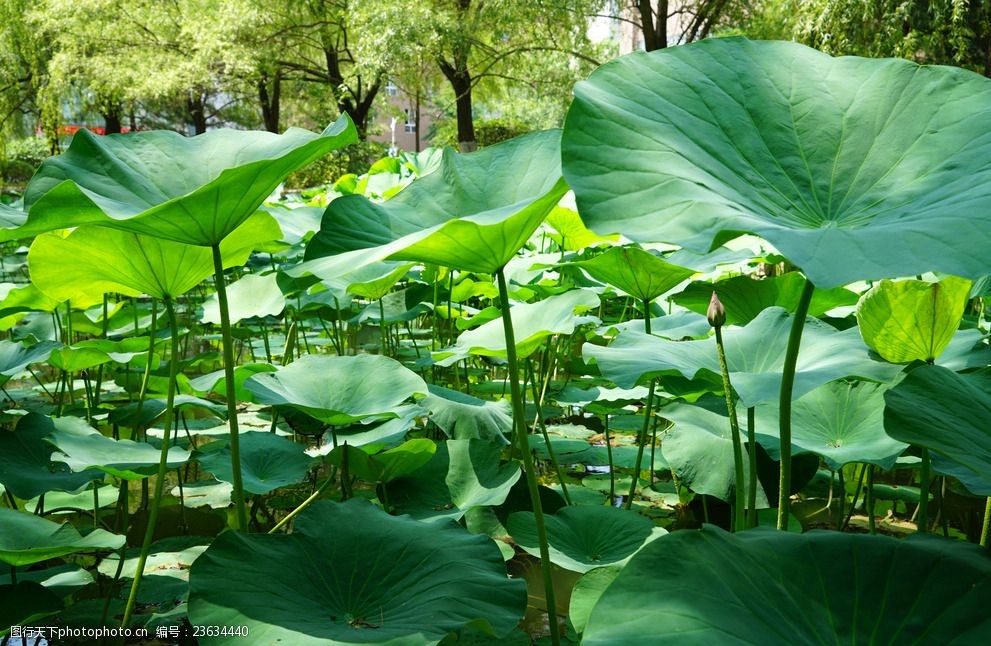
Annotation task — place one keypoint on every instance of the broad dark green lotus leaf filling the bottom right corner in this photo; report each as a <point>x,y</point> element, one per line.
<point>769,587</point>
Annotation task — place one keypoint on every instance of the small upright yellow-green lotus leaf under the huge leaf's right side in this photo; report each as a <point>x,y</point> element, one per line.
<point>912,320</point>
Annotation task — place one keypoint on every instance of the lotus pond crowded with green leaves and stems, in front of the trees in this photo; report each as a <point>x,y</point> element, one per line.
<point>709,365</point>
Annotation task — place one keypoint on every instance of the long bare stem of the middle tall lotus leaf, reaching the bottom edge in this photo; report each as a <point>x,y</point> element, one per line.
<point>524,448</point>
